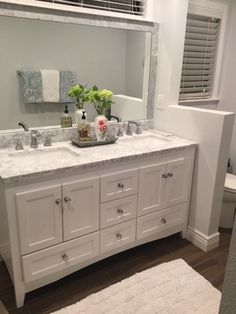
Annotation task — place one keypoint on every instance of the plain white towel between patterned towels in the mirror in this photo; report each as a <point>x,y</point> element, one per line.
<point>50,83</point>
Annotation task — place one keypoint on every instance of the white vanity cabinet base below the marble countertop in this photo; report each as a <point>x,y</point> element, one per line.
<point>59,225</point>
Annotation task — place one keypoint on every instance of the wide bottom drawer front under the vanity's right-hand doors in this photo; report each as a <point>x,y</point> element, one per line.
<point>162,220</point>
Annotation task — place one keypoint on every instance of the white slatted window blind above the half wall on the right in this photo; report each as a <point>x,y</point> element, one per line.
<point>199,57</point>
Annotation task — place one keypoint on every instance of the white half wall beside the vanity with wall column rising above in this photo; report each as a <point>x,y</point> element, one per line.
<point>211,129</point>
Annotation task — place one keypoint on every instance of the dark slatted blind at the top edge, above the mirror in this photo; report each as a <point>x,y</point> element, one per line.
<point>135,7</point>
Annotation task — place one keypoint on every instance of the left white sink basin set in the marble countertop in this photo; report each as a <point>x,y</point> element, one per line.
<point>46,154</point>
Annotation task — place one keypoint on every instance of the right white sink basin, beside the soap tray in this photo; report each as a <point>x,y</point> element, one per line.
<point>145,139</point>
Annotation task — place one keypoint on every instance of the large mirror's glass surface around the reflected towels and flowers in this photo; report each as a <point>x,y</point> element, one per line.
<point>109,58</point>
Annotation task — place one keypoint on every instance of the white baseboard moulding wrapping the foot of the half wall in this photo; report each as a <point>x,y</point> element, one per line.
<point>201,240</point>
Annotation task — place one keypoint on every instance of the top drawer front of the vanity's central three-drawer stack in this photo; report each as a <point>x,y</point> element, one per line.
<point>118,185</point>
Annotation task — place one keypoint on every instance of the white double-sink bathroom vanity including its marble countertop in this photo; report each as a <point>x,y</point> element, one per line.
<point>66,208</point>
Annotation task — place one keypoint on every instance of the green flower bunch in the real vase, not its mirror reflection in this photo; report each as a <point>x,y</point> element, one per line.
<point>102,99</point>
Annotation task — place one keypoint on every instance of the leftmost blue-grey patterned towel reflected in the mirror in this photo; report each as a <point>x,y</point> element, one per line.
<point>32,86</point>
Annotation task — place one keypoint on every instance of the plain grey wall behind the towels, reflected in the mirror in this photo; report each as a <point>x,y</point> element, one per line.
<point>97,54</point>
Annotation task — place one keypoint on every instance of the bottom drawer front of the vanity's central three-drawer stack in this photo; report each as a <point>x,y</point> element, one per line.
<point>117,236</point>
